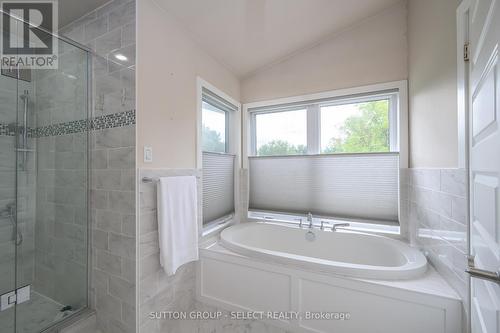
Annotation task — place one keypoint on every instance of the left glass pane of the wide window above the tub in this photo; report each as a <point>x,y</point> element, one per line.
<point>281,133</point>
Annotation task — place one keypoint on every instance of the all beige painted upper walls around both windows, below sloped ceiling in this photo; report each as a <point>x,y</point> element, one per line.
<point>415,43</point>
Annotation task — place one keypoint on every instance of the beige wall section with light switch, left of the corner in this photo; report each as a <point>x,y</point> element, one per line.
<point>166,88</point>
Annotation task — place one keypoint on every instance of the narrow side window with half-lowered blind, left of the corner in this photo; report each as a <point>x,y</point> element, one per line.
<point>217,159</point>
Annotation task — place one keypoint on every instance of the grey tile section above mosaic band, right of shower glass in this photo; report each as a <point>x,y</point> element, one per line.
<point>109,31</point>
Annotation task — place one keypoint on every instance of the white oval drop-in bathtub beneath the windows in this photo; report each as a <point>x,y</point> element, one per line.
<point>342,252</point>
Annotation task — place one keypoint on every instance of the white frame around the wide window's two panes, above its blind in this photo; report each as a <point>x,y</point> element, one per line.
<point>313,124</point>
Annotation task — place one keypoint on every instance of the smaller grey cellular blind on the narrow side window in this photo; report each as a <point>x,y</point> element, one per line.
<point>218,186</point>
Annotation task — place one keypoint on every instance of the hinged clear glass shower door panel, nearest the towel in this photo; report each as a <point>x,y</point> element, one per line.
<point>52,192</point>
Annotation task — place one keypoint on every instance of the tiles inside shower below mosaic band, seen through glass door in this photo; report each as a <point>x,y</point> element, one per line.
<point>61,219</point>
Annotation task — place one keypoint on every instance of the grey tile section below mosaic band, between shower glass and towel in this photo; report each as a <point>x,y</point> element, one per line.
<point>113,228</point>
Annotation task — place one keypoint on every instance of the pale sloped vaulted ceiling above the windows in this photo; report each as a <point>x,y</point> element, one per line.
<point>246,35</point>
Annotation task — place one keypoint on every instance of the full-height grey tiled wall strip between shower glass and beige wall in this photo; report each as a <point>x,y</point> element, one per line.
<point>108,31</point>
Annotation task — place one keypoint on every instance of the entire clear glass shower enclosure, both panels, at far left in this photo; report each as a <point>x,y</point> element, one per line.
<point>44,225</point>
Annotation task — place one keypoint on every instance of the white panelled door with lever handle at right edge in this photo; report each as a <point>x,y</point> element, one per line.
<point>484,159</point>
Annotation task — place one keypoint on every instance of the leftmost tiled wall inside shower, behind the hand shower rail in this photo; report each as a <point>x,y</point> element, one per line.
<point>9,94</point>
